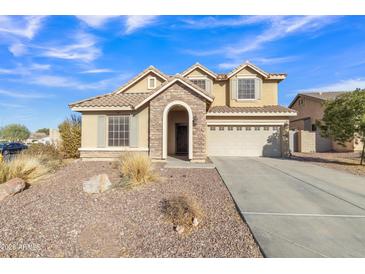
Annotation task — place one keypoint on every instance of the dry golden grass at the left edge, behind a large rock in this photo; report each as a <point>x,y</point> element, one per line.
<point>29,168</point>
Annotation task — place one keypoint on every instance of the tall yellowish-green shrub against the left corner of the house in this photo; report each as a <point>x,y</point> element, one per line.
<point>70,131</point>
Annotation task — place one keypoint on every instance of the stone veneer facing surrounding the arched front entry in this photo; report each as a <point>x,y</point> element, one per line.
<point>197,104</point>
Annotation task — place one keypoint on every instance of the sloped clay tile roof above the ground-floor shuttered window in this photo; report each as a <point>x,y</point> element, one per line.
<point>112,100</point>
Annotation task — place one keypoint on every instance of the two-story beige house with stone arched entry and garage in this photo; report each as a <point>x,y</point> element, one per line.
<point>197,113</point>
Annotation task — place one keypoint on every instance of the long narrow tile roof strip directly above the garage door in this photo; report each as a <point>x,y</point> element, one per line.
<point>263,109</point>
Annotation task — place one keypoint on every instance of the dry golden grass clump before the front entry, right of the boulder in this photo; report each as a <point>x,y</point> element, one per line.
<point>136,169</point>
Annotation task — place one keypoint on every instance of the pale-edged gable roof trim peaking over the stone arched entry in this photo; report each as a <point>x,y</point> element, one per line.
<point>172,80</point>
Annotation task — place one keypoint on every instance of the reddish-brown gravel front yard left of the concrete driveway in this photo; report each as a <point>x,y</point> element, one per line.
<point>55,218</point>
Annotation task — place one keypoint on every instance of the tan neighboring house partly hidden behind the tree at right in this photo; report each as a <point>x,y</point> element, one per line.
<point>310,108</point>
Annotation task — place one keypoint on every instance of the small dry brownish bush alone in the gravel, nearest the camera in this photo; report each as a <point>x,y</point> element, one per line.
<point>181,211</point>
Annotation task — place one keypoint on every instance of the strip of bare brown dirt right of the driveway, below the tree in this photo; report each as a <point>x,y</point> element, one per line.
<point>345,161</point>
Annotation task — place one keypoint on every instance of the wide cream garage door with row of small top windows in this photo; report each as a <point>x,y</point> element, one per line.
<point>244,141</point>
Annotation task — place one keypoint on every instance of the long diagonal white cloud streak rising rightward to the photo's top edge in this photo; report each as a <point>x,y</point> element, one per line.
<point>278,27</point>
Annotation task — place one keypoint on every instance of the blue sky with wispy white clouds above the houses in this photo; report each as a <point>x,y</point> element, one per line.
<point>48,62</point>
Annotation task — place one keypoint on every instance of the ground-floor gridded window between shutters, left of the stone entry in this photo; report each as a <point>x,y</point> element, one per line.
<point>118,131</point>
